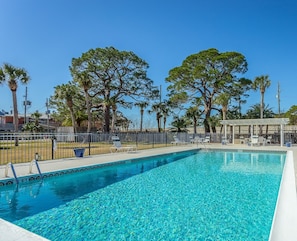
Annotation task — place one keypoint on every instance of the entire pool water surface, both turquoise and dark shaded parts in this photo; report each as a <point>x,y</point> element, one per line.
<point>189,196</point>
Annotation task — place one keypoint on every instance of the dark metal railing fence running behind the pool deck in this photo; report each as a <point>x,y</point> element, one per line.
<point>50,146</point>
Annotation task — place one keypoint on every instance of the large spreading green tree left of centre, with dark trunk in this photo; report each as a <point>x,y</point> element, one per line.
<point>113,76</point>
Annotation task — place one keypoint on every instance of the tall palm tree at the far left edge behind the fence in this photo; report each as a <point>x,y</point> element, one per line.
<point>13,75</point>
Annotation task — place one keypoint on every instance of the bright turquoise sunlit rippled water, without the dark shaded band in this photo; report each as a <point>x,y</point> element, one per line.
<point>195,198</point>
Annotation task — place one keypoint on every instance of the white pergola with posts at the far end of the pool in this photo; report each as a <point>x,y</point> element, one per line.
<point>256,122</point>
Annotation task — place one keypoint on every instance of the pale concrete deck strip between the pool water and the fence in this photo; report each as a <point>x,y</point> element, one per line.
<point>22,169</point>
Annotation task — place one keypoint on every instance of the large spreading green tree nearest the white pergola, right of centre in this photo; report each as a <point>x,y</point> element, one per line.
<point>206,74</point>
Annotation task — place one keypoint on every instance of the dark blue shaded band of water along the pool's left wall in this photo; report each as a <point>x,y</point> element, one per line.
<point>17,202</point>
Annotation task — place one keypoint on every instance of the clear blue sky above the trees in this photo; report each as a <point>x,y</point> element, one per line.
<point>43,37</point>
